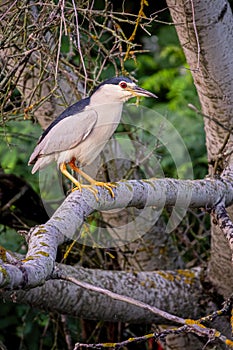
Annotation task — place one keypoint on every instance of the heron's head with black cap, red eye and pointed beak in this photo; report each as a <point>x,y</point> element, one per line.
<point>118,89</point>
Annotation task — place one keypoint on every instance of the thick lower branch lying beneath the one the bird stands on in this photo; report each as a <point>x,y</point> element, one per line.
<point>159,290</point>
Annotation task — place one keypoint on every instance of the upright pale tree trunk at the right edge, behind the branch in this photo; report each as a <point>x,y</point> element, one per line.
<point>205,30</point>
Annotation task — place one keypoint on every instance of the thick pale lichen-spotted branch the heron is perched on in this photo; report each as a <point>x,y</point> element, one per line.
<point>44,239</point>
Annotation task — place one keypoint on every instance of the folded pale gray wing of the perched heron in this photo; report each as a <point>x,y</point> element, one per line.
<point>66,134</point>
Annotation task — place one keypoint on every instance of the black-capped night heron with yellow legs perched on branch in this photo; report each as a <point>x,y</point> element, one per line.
<point>80,133</point>
